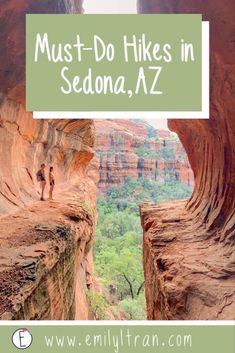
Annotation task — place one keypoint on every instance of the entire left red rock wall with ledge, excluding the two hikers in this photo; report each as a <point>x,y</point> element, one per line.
<point>45,256</point>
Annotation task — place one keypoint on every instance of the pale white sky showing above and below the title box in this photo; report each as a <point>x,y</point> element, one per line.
<point>118,7</point>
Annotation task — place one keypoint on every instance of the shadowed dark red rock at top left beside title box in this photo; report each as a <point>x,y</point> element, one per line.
<point>12,39</point>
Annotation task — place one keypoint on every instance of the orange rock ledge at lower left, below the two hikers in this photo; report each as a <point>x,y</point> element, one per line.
<point>46,259</point>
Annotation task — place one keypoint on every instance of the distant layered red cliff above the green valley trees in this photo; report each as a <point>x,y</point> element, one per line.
<point>117,158</point>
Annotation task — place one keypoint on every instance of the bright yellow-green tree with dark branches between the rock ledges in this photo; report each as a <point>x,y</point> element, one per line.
<point>119,262</point>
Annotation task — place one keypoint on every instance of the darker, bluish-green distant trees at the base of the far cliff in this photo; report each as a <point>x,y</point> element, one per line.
<point>122,205</point>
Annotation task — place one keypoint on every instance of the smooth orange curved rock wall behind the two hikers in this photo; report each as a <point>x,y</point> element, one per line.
<point>25,143</point>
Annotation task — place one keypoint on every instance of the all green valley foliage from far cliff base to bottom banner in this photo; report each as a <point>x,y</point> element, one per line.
<point>118,246</point>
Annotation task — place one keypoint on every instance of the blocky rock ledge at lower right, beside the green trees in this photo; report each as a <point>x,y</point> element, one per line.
<point>188,276</point>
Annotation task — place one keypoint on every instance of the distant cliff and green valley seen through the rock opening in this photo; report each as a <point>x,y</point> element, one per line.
<point>138,162</point>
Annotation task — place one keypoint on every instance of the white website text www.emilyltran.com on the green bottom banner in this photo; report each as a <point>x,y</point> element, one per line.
<point>119,341</point>
